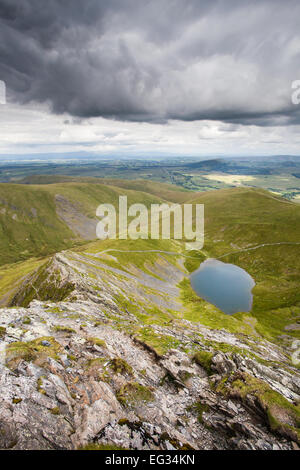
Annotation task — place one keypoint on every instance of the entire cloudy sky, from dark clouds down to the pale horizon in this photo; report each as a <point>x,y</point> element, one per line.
<point>149,77</point>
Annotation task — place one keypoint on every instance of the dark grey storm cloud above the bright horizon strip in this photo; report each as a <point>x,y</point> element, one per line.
<point>154,60</point>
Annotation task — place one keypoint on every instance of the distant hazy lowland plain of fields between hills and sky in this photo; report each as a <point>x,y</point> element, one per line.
<point>170,179</point>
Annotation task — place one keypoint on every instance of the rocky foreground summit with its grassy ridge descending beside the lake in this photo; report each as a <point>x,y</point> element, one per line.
<point>96,353</point>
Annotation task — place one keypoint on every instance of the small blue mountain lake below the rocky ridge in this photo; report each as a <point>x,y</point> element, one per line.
<point>224,285</point>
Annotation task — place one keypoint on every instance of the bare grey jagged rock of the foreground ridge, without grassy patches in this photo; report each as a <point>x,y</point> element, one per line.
<point>56,402</point>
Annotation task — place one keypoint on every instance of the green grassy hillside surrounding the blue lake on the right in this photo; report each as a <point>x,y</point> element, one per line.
<point>235,220</point>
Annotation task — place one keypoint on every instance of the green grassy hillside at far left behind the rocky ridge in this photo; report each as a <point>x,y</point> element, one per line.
<point>30,225</point>
